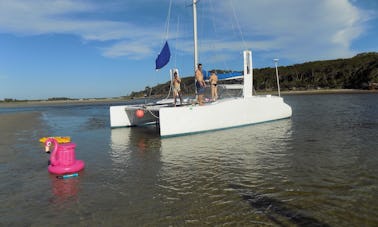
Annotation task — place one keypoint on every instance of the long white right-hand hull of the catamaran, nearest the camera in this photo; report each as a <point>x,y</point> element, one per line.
<point>222,114</point>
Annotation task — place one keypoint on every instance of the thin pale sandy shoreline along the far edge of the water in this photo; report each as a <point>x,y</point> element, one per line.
<point>119,100</point>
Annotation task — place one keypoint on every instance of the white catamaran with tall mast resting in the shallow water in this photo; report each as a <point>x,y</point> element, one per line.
<point>188,118</point>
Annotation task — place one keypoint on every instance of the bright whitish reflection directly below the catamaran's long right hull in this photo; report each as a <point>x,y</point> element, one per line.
<point>245,147</point>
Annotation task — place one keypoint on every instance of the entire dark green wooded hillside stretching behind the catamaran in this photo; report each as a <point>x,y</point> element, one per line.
<point>358,72</point>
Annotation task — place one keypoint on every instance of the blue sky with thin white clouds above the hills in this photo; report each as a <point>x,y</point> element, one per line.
<point>95,48</point>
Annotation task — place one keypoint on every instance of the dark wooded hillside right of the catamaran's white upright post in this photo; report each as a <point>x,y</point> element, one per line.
<point>353,73</point>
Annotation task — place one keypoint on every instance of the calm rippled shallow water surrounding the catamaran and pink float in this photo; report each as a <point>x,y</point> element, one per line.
<point>319,168</point>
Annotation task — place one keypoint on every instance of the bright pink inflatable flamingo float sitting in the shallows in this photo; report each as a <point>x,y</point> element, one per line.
<point>62,159</point>
